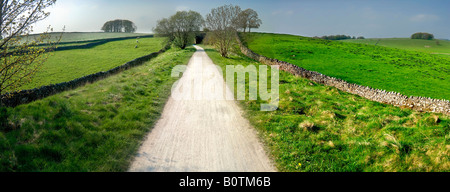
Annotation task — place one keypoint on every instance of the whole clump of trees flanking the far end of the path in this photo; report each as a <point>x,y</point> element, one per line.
<point>221,25</point>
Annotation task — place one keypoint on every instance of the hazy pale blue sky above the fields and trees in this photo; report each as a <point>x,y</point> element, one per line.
<point>369,18</point>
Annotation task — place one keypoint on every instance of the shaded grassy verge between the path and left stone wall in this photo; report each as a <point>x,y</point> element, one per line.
<point>97,127</point>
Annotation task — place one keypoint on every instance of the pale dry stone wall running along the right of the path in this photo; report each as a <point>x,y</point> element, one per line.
<point>382,96</point>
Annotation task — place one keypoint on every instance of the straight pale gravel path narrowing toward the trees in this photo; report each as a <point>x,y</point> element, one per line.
<point>200,134</point>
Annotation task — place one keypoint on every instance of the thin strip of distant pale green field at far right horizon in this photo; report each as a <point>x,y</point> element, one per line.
<point>427,46</point>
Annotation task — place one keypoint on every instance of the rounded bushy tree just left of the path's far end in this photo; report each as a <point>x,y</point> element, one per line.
<point>180,28</point>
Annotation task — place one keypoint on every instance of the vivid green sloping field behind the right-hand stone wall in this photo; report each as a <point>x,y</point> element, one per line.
<point>411,73</point>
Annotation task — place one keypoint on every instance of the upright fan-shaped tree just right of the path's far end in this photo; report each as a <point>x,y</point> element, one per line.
<point>222,22</point>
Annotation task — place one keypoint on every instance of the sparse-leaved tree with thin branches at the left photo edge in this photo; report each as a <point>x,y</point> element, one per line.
<point>20,59</point>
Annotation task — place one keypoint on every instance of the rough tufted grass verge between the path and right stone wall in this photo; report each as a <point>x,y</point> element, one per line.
<point>319,128</point>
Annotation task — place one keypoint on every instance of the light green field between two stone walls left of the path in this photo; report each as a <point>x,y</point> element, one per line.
<point>71,64</point>
